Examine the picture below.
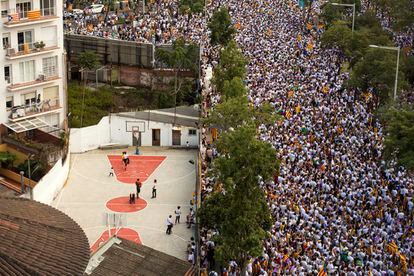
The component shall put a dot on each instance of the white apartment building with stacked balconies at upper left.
(32, 65)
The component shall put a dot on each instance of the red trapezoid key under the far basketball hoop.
(139, 167)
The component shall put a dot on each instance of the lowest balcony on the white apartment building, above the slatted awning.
(44, 107)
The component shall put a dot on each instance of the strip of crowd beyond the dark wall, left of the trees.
(161, 23)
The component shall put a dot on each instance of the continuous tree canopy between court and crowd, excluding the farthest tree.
(238, 211)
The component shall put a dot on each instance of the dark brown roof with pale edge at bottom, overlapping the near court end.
(126, 258)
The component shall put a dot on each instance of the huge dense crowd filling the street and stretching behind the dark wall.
(335, 203)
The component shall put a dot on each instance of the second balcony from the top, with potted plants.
(29, 49)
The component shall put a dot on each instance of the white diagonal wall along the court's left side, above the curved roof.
(50, 185)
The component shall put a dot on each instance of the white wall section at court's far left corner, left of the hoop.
(89, 138)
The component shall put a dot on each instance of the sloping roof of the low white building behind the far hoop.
(184, 116)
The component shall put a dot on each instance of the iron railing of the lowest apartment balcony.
(34, 108)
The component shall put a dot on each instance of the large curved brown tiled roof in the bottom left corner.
(37, 239)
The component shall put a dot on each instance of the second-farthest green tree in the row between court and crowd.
(232, 64)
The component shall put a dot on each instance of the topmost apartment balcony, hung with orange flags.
(31, 17)
